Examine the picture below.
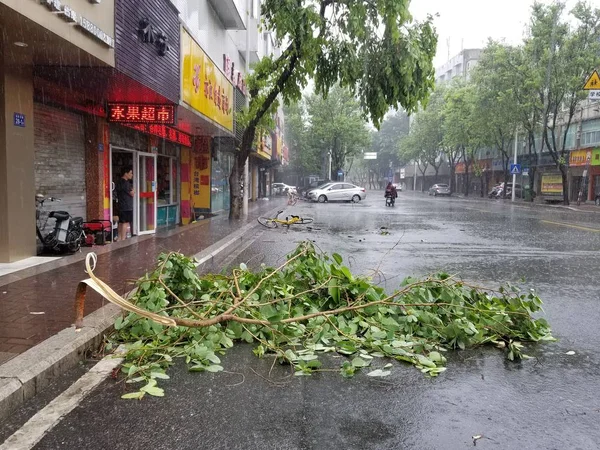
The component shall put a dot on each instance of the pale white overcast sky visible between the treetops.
(469, 23)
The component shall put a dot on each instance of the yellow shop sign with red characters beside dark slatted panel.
(204, 87)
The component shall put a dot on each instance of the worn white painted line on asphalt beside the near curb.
(44, 420)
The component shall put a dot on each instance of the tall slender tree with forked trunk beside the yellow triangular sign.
(563, 53)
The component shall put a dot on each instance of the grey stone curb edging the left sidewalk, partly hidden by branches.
(24, 376)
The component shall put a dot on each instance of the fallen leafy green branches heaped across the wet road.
(310, 305)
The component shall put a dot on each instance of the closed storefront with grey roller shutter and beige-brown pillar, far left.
(43, 142)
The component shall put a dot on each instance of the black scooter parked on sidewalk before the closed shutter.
(66, 236)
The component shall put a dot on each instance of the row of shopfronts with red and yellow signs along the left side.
(90, 89)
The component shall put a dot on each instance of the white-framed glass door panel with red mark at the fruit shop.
(146, 193)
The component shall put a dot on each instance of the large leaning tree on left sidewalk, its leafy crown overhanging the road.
(371, 47)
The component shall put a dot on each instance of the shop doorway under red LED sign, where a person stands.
(144, 181)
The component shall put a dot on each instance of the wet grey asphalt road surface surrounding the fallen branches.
(549, 402)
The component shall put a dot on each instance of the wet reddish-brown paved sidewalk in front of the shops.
(38, 303)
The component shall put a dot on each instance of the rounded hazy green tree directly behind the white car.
(337, 127)
